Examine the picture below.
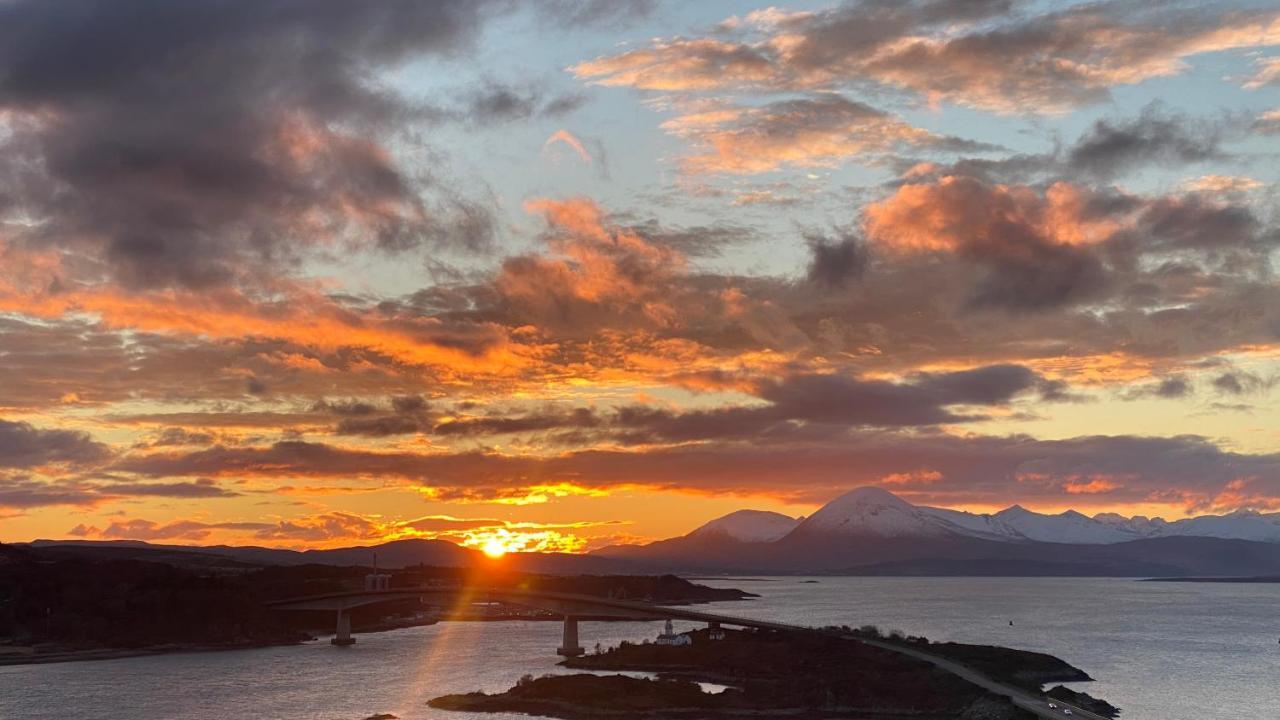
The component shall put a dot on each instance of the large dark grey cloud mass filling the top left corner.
(194, 144)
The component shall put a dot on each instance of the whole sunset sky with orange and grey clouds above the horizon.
(560, 275)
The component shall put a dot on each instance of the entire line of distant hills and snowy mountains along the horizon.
(866, 532)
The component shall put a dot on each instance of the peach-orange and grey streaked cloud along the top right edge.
(1048, 63)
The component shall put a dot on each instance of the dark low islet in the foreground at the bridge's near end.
(769, 675)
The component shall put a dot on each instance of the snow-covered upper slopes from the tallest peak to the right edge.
(879, 513)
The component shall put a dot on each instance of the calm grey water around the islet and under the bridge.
(1162, 651)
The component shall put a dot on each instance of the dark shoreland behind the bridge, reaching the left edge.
(84, 604)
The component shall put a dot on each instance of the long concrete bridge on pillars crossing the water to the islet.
(566, 605)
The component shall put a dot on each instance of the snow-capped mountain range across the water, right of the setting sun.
(871, 531)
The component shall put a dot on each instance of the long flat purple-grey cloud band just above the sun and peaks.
(1186, 471)
